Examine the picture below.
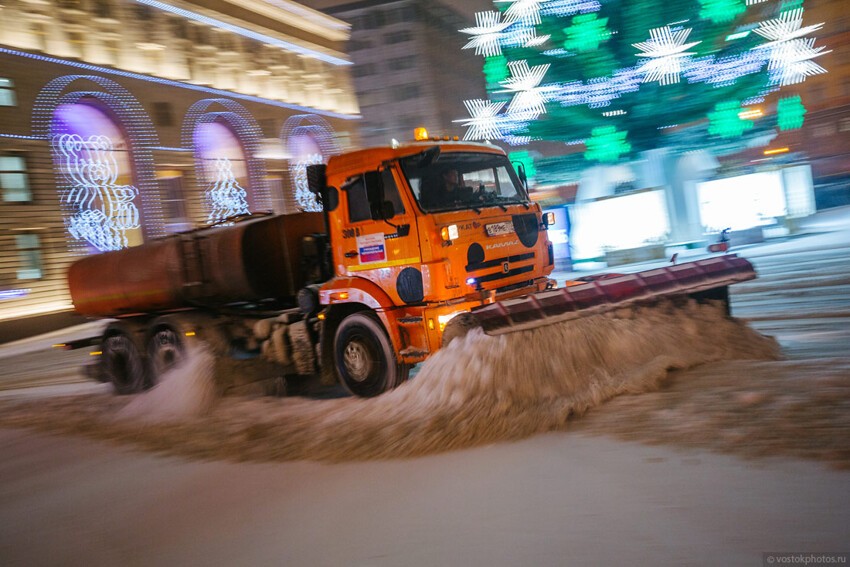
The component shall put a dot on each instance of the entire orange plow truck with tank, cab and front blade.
(415, 245)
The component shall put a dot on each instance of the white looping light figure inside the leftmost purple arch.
(104, 210)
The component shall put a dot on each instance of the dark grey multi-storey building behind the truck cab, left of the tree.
(410, 68)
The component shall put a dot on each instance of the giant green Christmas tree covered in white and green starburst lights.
(621, 76)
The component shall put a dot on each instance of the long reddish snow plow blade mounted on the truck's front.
(702, 279)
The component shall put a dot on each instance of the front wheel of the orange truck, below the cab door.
(364, 357)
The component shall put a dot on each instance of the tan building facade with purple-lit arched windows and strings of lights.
(123, 121)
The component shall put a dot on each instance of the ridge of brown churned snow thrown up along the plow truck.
(481, 389)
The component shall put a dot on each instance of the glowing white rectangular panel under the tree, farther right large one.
(742, 202)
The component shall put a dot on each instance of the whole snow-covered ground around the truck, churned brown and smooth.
(573, 496)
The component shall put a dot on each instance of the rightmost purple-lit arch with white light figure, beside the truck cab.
(296, 133)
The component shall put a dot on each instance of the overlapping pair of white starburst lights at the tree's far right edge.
(791, 53)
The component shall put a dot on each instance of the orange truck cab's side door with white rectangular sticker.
(380, 240)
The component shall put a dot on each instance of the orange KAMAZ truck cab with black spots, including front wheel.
(410, 253)
